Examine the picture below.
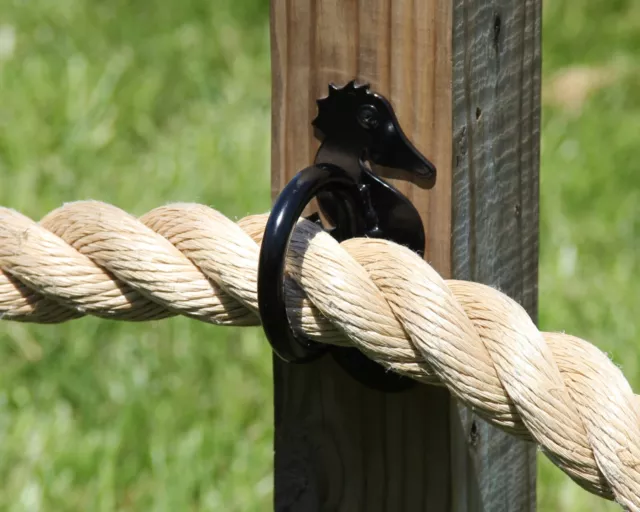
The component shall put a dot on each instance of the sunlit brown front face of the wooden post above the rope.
(402, 48)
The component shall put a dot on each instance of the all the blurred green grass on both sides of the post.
(139, 104)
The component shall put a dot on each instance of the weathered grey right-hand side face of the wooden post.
(496, 106)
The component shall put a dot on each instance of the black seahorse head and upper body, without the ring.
(360, 134)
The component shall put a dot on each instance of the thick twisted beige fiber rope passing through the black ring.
(90, 258)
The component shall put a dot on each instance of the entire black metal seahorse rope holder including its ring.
(360, 134)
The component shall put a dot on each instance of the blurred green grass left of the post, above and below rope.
(137, 104)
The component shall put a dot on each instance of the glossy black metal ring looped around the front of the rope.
(285, 214)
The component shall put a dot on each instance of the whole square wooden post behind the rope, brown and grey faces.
(464, 79)
